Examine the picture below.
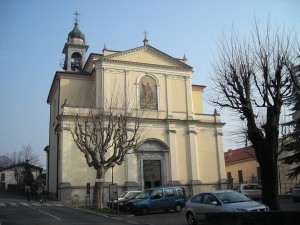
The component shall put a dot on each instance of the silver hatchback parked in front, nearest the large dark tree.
(219, 201)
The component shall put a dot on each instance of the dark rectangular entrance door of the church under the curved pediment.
(152, 173)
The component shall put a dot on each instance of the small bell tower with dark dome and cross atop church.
(75, 49)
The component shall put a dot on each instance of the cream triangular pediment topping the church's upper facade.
(147, 55)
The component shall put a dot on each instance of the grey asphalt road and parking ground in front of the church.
(16, 210)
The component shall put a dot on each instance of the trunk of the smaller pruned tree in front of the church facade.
(98, 189)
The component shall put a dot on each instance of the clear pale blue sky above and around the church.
(33, 34)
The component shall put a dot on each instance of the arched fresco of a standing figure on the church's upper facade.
(148, 93)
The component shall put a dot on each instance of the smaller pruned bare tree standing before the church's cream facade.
(105, 135)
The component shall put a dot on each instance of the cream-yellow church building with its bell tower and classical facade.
(183, 146)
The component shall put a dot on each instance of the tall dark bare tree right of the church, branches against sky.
(253, 77)
